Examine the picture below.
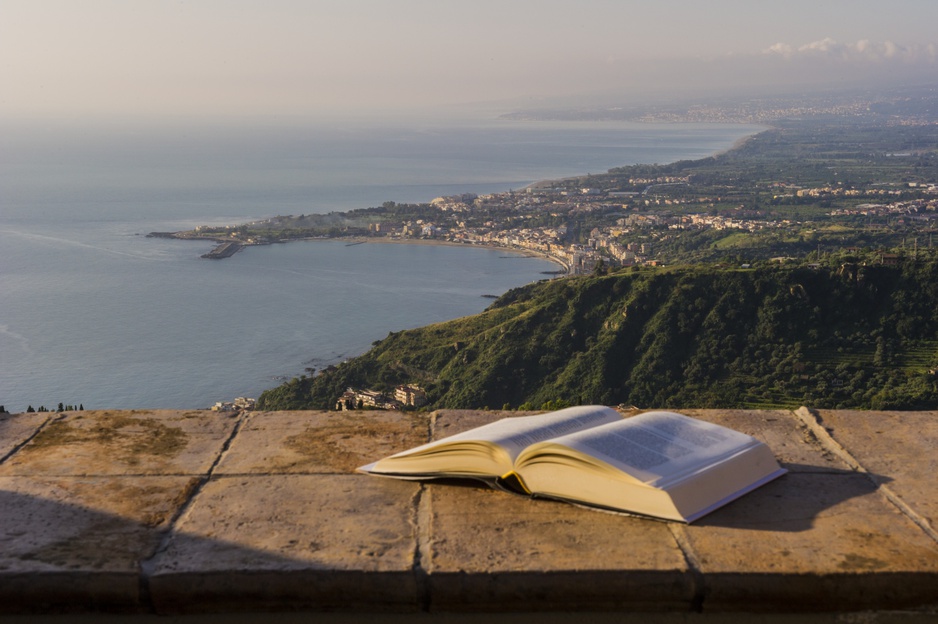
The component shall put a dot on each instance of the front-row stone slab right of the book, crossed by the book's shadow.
(813, 541)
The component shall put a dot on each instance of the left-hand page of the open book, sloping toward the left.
(516, 434)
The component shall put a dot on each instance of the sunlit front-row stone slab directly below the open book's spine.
(488, 550)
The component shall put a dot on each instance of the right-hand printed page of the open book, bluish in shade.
(656, 446)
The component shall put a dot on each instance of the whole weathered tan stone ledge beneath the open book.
(201, 512)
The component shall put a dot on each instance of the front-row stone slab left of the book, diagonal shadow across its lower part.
(287, 542)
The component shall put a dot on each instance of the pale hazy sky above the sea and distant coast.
(230, 58)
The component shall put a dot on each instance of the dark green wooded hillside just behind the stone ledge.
(843, 336)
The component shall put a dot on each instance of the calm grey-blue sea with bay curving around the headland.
(94, 313)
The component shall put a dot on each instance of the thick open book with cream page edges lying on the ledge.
(659, 464)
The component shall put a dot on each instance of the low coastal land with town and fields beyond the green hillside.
(776, 194)
